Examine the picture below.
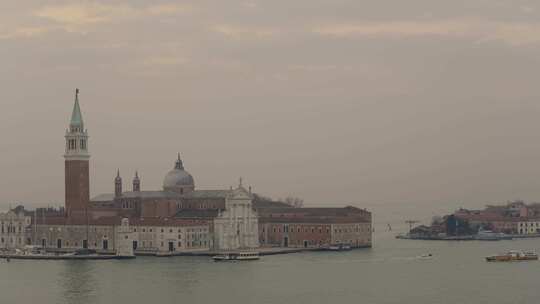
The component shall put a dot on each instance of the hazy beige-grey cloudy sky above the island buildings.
(334, 101)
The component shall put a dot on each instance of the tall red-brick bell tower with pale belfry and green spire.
(76, 165)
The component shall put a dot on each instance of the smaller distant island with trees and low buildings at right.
(511, 220)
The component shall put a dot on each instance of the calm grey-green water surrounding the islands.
(388, 273)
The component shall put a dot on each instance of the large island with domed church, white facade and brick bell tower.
(177, 219)
